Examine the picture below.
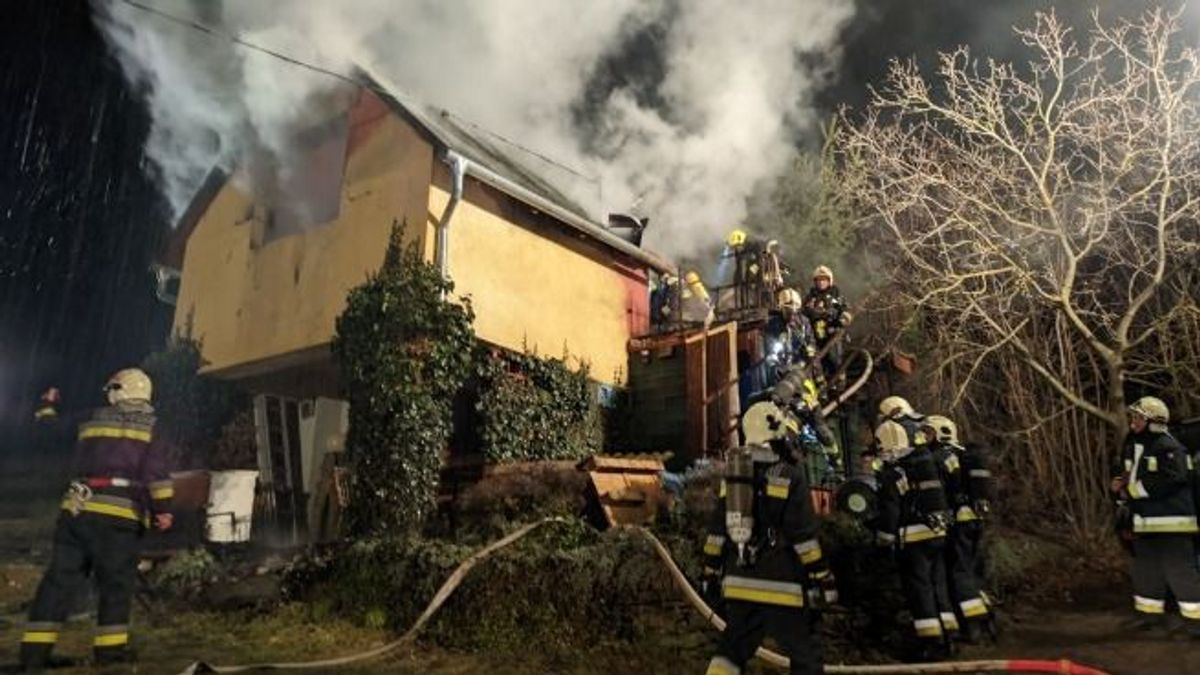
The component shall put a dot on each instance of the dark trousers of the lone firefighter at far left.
(85, 546)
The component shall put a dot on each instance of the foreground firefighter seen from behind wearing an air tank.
(764, 554)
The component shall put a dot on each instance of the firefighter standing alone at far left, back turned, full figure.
(121, 486)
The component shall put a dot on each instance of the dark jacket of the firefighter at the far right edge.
(1159, 485)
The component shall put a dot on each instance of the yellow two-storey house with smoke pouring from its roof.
(261, 280)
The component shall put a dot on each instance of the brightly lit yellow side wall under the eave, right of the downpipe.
(532, 289)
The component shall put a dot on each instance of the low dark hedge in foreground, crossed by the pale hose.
(566, 586)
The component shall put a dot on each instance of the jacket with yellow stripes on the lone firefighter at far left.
(119, 469)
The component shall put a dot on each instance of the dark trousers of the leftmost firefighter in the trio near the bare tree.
(923, 574)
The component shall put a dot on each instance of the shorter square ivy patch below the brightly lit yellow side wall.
(536, 409)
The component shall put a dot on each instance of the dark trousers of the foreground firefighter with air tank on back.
(795, 630)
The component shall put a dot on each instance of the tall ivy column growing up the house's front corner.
(405, 353)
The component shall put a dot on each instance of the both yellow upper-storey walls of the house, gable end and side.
(261, 309)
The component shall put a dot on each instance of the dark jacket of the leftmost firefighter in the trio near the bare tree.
(913, 500)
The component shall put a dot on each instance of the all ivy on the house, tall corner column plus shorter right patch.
(406, 355)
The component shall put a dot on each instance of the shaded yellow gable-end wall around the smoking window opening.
(247, 304)
